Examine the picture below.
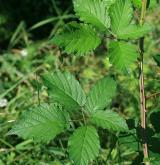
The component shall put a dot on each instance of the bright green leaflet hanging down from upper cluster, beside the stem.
(122, 55)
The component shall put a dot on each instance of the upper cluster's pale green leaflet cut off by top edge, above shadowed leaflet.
(93, 12)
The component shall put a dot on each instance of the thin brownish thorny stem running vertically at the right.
(142, 90)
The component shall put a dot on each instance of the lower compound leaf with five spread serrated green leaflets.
(44, 122)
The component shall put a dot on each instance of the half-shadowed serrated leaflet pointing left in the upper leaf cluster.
(77, 38)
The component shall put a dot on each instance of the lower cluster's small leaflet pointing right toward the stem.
(109, 120)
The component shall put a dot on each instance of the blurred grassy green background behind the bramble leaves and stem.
(26, 28)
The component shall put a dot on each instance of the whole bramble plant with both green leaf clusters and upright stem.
(71, 109)
